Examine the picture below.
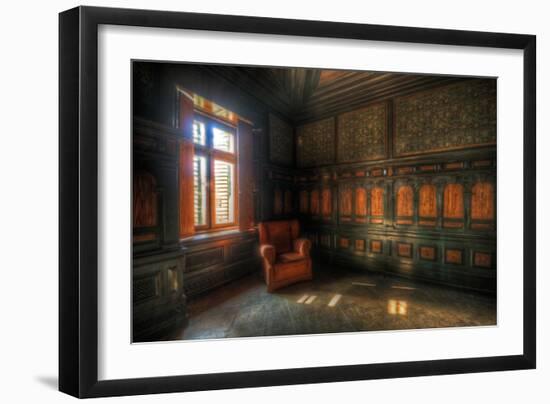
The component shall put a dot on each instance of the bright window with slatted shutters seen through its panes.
(214, 174)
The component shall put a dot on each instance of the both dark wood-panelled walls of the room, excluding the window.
(406, 185)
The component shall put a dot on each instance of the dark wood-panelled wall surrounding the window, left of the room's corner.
(166, 270)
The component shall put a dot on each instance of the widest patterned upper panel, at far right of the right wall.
(445, 118)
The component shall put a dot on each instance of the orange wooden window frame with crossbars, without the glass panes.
(211, 155)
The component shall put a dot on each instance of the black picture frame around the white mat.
(78, 201)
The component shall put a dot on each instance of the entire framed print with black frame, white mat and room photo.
(251, 201)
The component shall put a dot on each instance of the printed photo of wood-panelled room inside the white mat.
(272, 201)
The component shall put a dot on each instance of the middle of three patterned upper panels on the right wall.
(362, 134)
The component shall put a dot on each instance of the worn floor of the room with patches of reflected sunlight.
(335, 302)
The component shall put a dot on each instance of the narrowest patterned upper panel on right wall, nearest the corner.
(315, 143)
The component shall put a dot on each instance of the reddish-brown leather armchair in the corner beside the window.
(285, 257)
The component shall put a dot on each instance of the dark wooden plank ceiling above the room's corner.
(303, 95)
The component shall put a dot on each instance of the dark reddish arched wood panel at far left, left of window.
(145, 200)
